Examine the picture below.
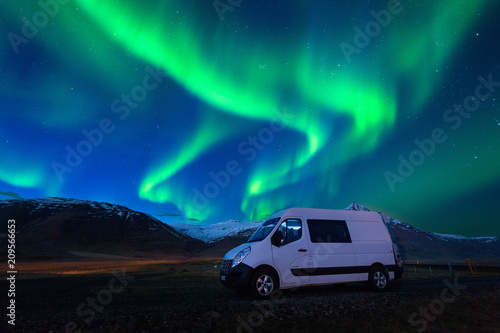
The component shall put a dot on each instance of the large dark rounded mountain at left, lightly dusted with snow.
(57, 227)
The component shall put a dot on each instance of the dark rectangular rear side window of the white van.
(328, 231)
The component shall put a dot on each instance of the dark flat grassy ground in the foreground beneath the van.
(187, 297)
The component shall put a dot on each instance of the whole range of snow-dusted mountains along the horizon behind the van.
(57, 228)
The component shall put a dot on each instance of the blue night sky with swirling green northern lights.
(204, 111)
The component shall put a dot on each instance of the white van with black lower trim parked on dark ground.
(303, 246)
